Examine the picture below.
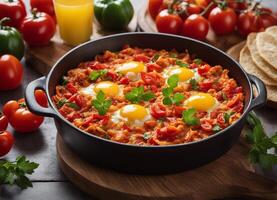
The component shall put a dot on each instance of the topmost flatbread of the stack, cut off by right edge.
(267, 48)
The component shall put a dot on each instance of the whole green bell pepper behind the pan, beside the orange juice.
(113, 14)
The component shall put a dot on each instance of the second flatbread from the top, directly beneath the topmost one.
(264, 66)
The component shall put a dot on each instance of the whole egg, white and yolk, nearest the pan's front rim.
(133, 114)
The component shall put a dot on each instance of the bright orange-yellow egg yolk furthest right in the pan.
(201, 101)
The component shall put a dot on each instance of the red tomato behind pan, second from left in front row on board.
(196, 26)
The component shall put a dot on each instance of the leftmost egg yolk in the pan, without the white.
(109, 88)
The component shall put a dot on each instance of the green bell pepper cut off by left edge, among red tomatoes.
(10, 41)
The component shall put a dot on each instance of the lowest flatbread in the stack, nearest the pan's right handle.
(248, 64)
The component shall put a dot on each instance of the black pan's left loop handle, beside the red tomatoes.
(31, 102)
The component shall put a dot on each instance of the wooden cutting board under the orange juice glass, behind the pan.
(41, 59)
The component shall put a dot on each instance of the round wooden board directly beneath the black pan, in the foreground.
(228, 176)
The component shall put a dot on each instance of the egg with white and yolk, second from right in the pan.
(184, 74)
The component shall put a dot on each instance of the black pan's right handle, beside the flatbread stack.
(261, 98)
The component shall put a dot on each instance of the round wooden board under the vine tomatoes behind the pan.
(147, 24)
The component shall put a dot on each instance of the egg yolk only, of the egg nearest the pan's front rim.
(133, 112)
